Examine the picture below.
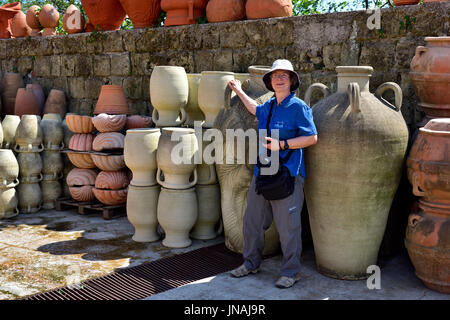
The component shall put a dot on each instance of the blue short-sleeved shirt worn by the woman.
(293, 118)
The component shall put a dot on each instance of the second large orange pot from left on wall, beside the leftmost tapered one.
(142, 13)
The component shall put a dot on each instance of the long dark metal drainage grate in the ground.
(150, 278)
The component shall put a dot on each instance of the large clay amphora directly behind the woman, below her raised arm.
(235, 178)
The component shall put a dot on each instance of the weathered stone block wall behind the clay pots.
(80, 64)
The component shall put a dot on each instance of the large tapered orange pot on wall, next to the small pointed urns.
(104, 14)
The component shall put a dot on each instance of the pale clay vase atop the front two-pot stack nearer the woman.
(175, 158)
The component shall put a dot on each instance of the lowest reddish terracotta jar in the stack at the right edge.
(428, 244)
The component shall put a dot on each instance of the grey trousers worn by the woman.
(257, 219)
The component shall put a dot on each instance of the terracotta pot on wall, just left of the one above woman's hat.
(225, 10)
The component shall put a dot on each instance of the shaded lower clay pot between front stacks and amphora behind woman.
(209, 212)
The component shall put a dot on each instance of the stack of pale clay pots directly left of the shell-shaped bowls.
(52, 161)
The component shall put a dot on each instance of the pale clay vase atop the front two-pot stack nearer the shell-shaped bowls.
(140, 155)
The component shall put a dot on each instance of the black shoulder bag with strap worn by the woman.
(279, 185)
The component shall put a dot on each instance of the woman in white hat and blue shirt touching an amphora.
(293, 118)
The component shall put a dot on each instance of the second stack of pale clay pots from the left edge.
(29, 144)
